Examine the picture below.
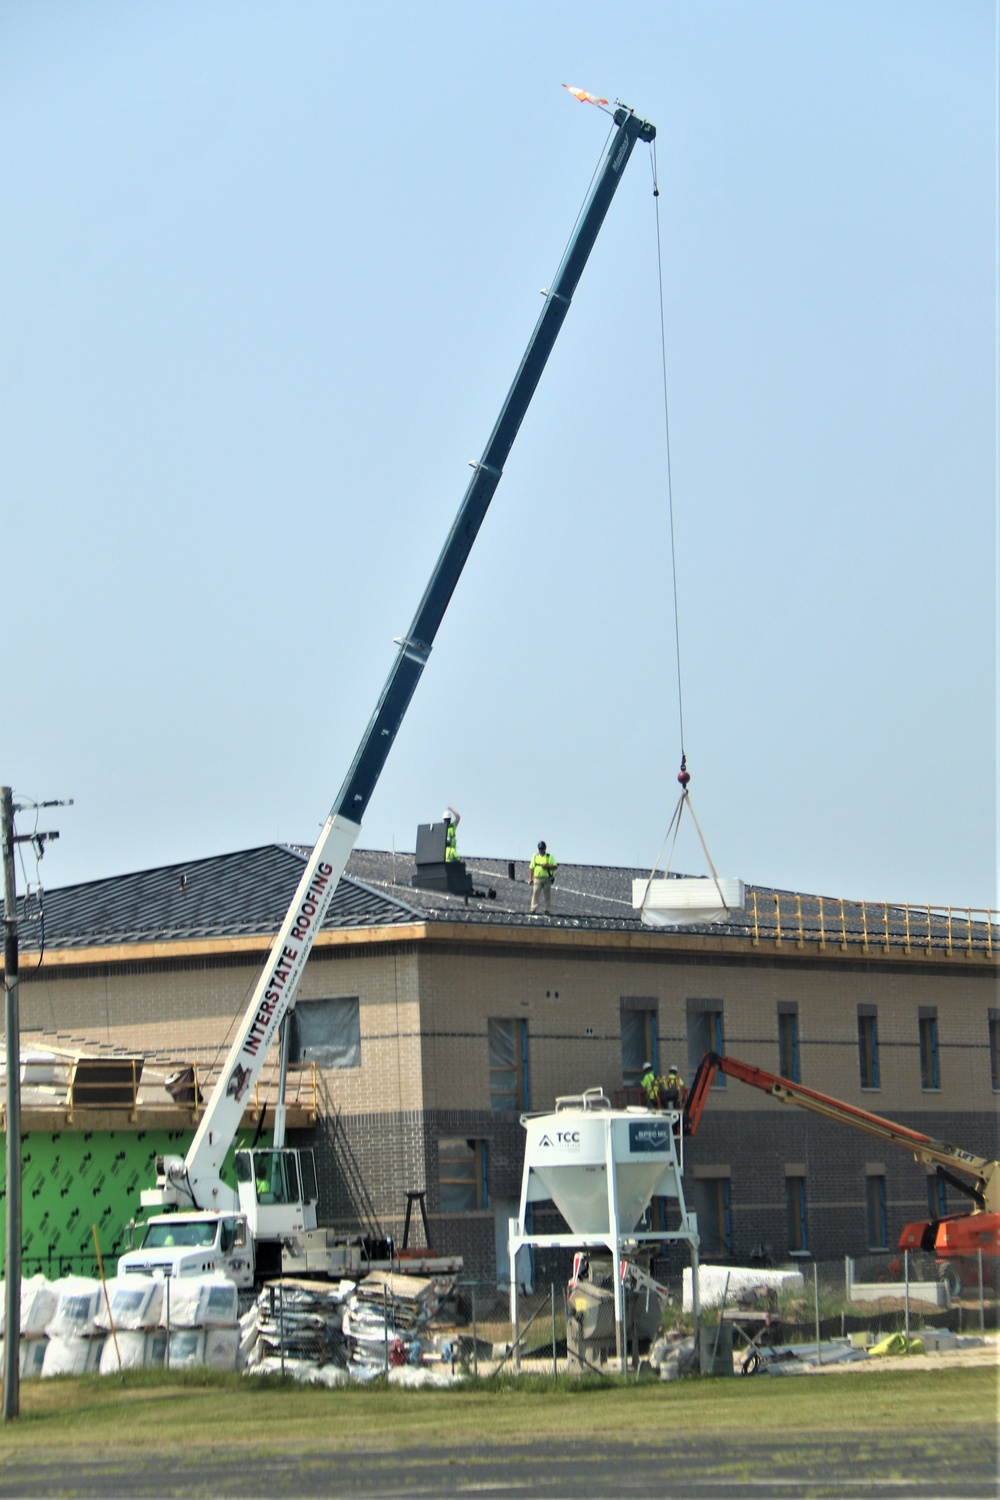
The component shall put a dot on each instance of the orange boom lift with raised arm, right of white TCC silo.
(950, 1238)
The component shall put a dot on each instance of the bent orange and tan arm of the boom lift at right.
(980, 1181)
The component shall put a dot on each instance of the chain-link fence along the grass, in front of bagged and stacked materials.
(427, 1331)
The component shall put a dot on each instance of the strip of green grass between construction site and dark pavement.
(203, 1411)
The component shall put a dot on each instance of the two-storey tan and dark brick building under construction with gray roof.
(436, 1010)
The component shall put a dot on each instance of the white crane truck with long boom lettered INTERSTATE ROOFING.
(242, 1231)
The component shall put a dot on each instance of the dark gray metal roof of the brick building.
(248, 895)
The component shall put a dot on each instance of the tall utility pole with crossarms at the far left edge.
(13, 1285)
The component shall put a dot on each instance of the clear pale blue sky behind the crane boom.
(268, 272)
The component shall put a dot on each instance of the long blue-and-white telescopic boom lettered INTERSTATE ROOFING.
(197, 1181)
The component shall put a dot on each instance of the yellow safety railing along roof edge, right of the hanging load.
(788, 919)
